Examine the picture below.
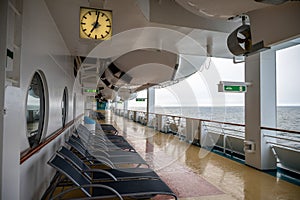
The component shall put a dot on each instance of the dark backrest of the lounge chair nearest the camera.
(67, 169)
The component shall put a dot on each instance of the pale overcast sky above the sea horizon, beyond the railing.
(200, 89)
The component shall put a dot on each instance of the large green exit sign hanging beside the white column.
(238, 87)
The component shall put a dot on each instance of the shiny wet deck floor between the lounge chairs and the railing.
(194, 173)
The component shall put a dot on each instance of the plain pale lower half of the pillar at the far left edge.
(10, 151)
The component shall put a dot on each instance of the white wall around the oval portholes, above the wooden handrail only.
(44, 49)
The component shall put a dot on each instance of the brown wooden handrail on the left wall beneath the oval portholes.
(25, 155)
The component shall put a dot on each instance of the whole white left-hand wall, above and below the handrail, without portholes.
(42, 49)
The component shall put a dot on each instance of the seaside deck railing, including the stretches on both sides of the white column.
(225, 137)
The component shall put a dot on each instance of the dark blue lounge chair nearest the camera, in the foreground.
(140, 189)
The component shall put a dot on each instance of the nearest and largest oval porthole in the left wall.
(35, 110)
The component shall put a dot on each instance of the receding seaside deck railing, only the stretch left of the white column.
(194, 130)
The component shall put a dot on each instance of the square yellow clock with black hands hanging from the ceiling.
(95, 23)
